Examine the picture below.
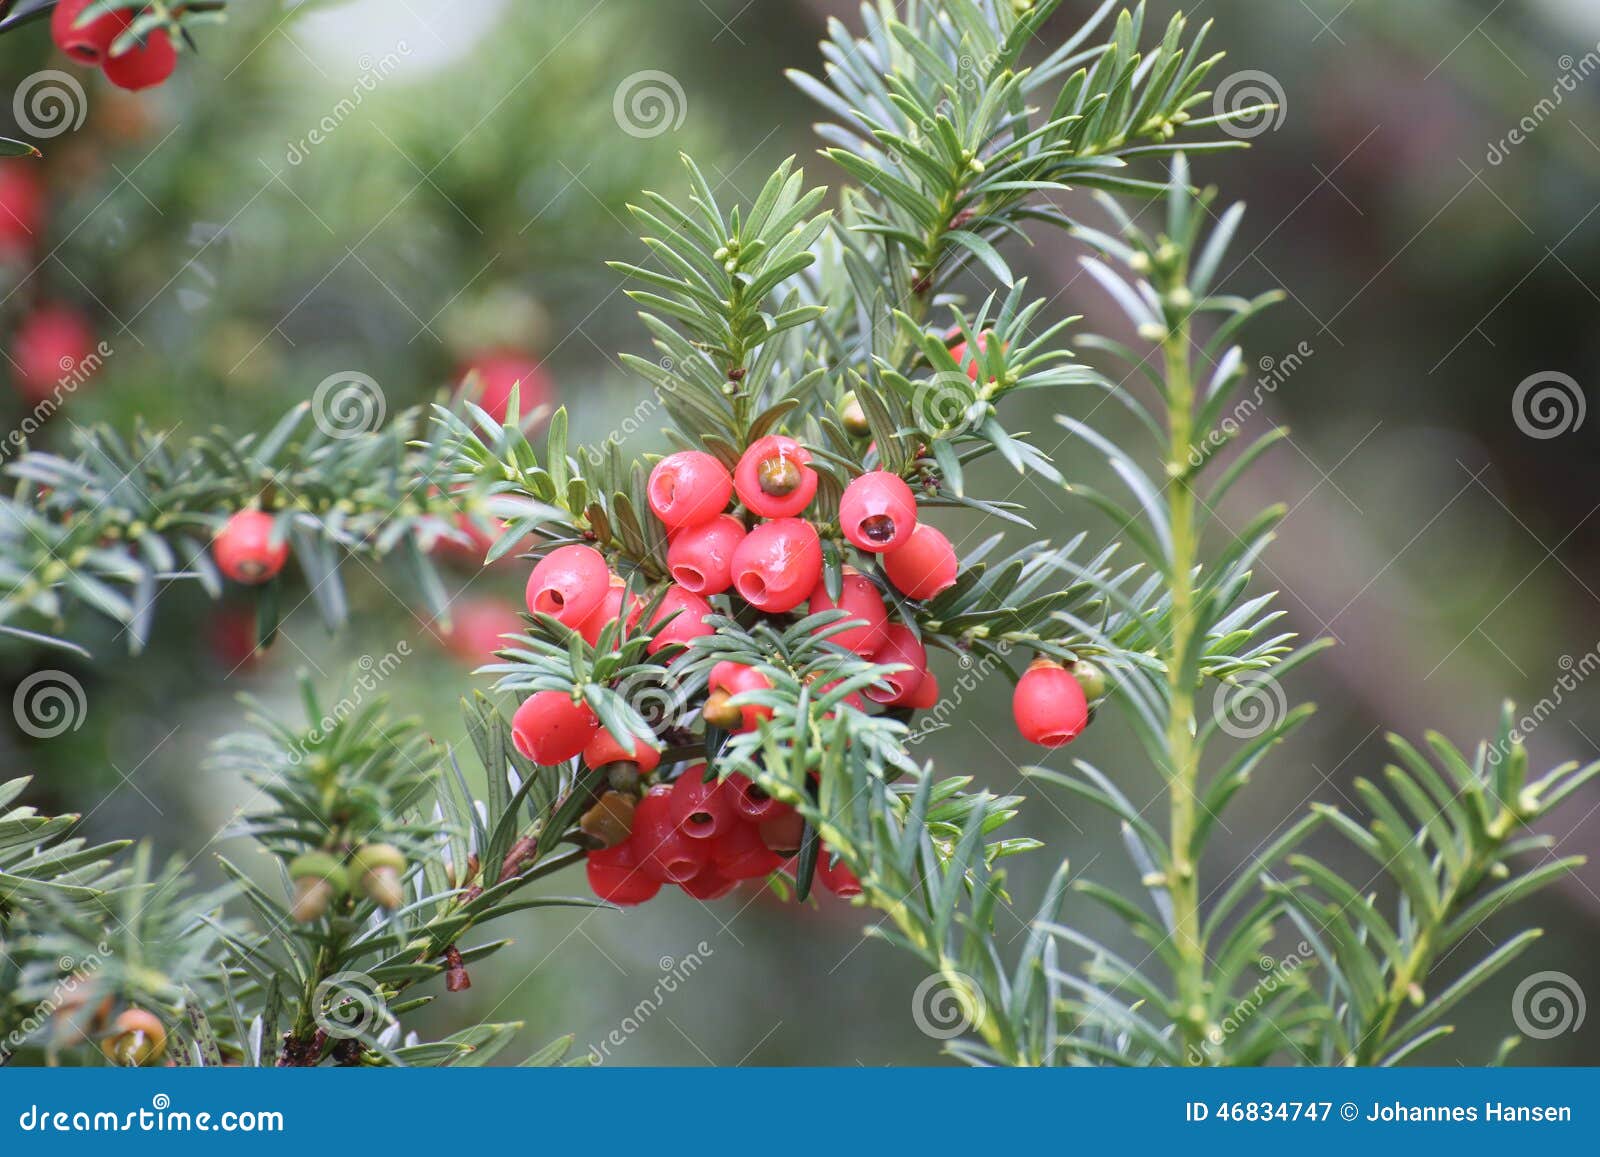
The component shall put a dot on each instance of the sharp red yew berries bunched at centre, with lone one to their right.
(766, 556)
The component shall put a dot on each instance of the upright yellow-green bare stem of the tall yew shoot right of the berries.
(1183, 772)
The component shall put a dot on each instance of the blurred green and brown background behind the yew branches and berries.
(465, 183)
